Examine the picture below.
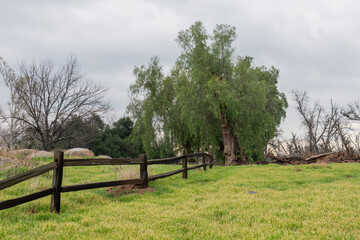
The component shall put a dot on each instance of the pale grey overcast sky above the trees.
(315, 44)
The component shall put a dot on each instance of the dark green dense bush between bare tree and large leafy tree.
(115, 141)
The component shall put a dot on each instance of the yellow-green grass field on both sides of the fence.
(291, 202)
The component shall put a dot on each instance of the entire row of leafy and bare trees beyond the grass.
(211, 100)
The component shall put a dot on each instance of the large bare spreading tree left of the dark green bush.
(48, 98)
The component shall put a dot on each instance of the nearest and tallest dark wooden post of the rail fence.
(57, 180)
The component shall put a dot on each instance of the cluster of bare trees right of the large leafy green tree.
(327, 129)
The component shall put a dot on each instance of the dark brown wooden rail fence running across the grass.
(59, 163)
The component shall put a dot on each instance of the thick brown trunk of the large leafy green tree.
(230, 144)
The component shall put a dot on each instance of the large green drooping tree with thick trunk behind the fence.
(211, 99)
